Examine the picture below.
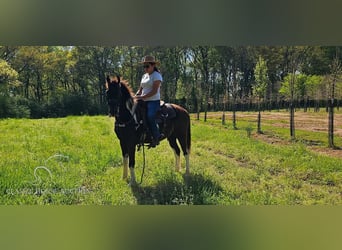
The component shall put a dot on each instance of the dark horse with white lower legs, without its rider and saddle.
(130, 129)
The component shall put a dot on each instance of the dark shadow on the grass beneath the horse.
(195, 189)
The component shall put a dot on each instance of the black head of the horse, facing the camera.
(113, 94)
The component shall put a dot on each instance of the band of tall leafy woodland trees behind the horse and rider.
(54, 81)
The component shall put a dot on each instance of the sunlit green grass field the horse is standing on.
(77, 160)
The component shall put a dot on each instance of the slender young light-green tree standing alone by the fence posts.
(260, 87)
